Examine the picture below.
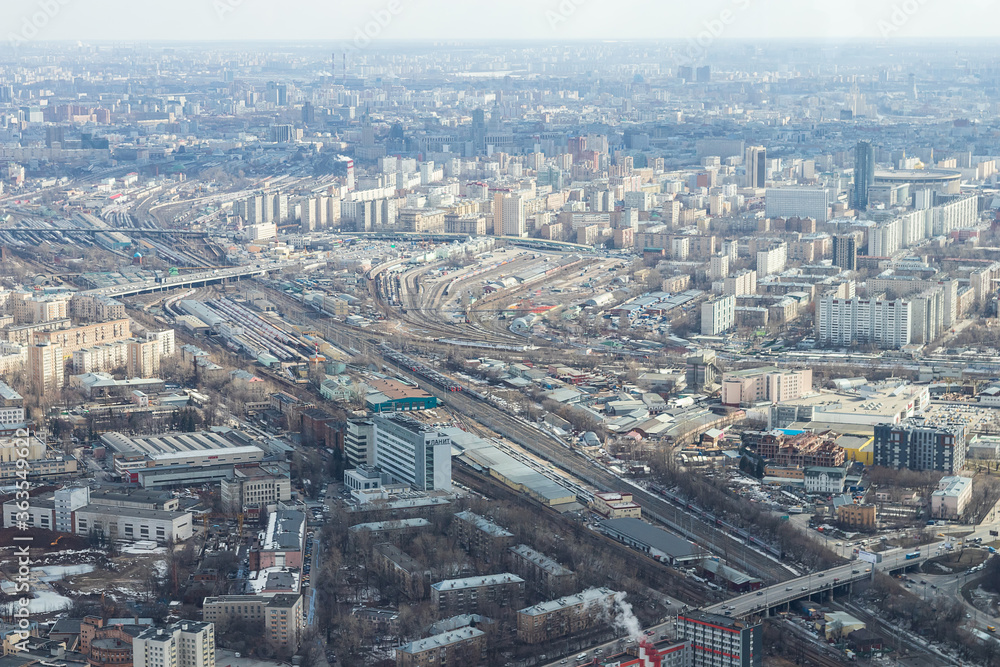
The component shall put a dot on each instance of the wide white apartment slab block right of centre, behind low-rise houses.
(853, 322)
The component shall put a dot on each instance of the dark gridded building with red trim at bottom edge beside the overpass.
(721, 641)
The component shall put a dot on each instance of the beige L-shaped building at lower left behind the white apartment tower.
(280, 613)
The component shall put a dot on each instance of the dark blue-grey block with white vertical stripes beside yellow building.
(918, 444)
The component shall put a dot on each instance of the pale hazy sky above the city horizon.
(495, 19)
